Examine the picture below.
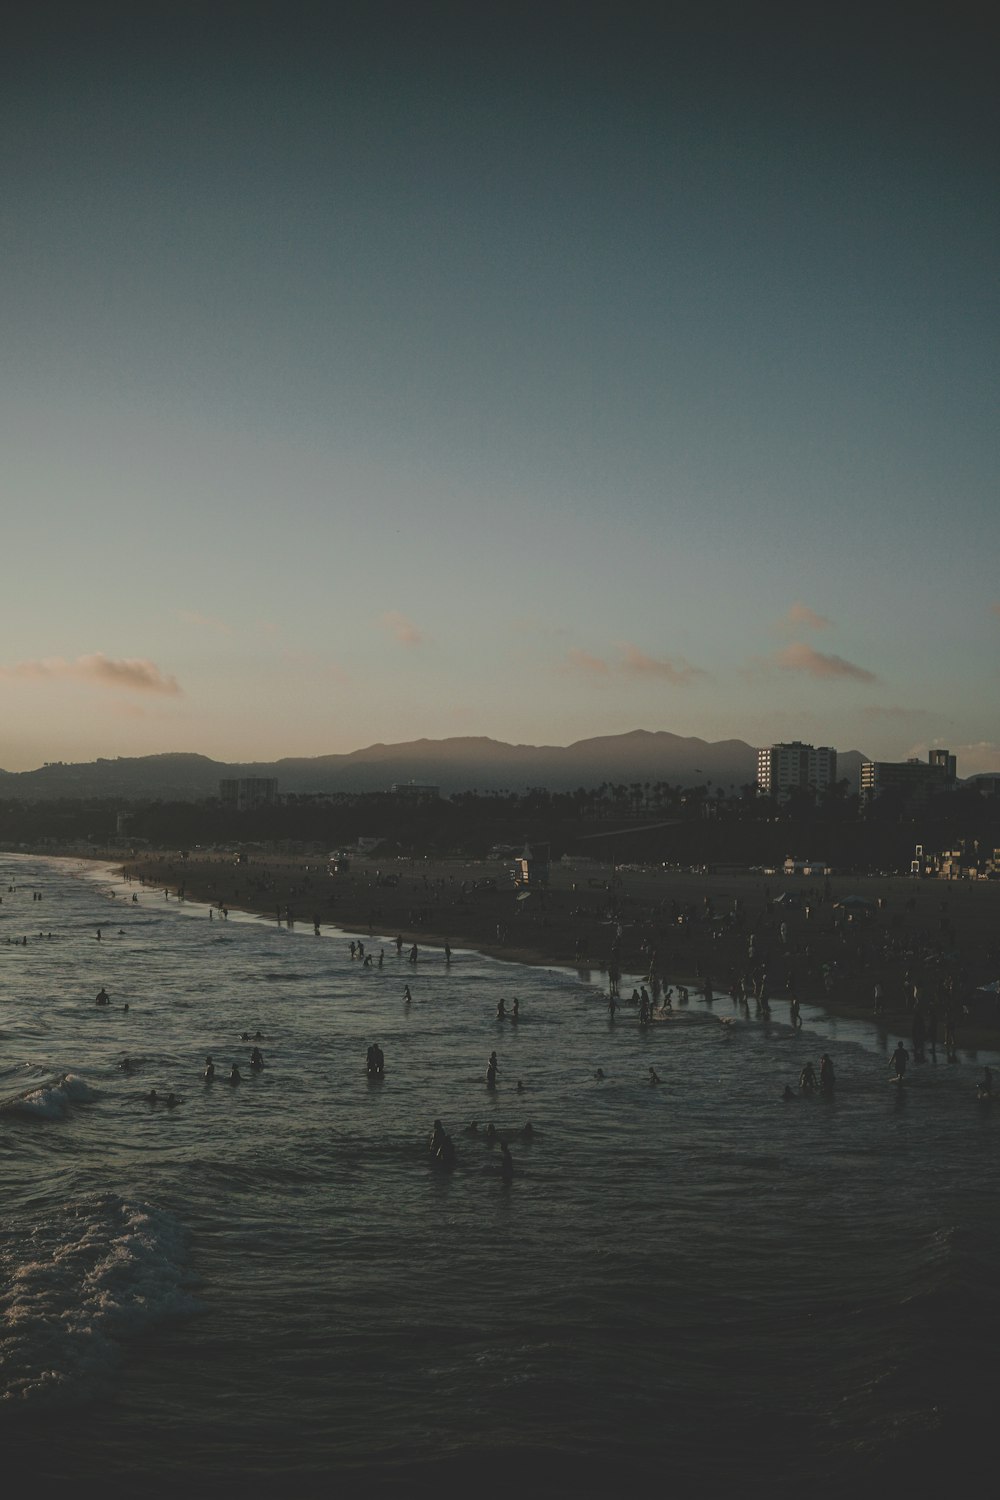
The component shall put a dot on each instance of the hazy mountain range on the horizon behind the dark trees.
(454, 766)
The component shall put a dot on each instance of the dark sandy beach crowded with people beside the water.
(945, 937)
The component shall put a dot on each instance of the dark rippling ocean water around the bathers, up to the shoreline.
(269, 1289)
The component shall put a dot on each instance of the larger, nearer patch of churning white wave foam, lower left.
(79, 1289)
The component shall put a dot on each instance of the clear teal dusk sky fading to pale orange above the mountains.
(421, 370)
